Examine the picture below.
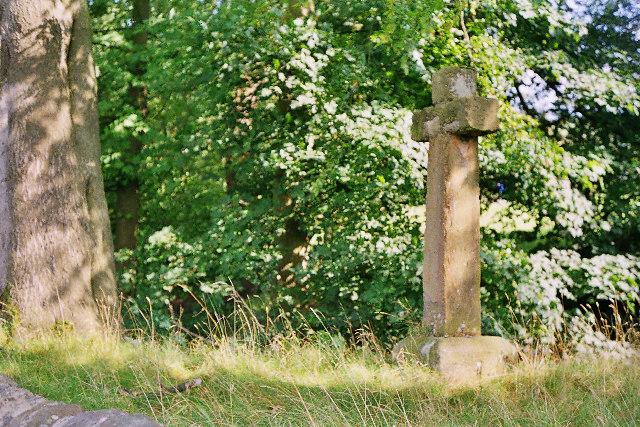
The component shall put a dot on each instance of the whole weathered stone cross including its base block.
(451, 343)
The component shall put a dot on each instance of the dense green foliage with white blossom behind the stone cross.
(279, 154)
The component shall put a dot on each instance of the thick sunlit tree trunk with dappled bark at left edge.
(56, 251)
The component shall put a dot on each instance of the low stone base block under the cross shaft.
(462, 360)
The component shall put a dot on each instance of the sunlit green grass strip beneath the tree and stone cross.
(287, 382)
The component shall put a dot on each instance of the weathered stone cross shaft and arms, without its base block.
(451, 275)
